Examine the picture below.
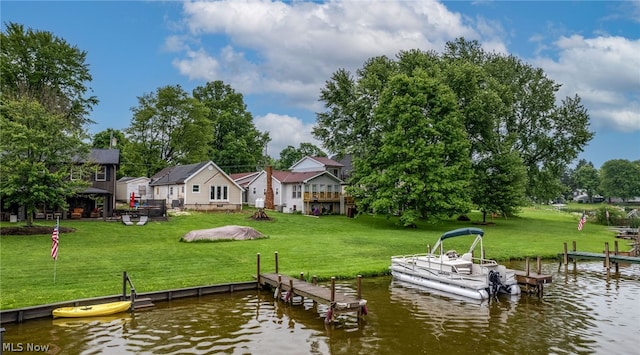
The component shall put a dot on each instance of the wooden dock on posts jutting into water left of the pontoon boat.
(291, 287)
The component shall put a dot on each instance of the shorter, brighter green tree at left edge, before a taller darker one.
(39, 149)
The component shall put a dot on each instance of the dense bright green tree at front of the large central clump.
(422, 167)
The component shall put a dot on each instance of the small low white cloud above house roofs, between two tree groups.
(284, 131)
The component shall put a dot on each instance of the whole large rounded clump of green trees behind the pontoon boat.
(438, 116)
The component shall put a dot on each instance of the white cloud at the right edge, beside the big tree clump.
(605, 73)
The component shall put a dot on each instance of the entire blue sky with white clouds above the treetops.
(279, 54)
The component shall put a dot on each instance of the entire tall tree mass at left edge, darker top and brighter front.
(44, 106)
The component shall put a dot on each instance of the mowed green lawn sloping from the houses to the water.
(92, 259)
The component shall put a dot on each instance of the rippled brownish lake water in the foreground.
(583, 311)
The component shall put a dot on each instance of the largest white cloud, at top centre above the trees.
(292, 49)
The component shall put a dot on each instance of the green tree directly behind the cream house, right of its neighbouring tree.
(236, 145)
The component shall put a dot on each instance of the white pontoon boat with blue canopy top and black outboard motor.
(447, 271)
